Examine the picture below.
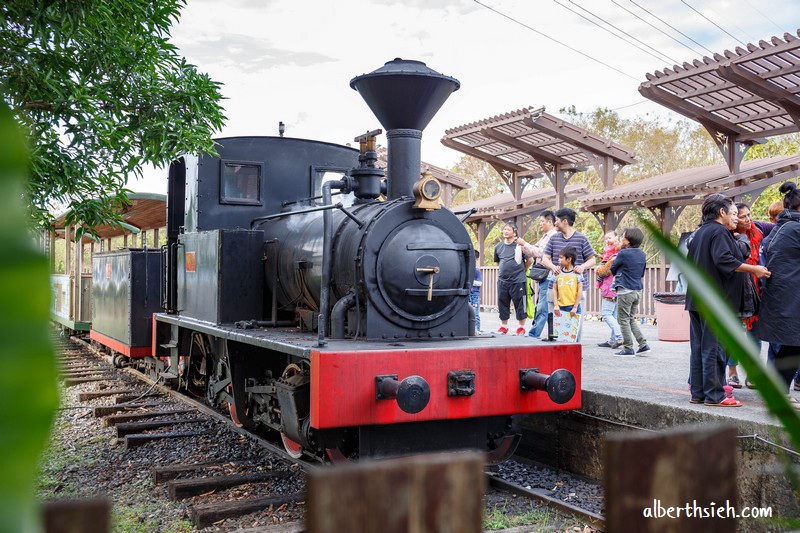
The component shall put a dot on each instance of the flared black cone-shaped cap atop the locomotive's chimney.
(404, 94)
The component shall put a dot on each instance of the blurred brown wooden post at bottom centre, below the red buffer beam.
(441, 492)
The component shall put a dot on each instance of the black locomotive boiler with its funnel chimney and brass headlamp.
(404, 262)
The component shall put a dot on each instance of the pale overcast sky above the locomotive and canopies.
(292, 61)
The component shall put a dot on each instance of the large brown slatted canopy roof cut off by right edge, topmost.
(746, 94)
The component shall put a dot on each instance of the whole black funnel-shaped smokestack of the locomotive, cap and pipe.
(404, 95)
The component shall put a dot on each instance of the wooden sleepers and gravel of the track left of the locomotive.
(211, 472)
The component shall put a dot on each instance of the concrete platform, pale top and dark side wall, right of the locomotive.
(651, 393)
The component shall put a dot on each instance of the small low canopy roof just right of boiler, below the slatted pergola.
(489, 211)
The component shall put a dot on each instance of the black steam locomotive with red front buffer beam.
(315, 298)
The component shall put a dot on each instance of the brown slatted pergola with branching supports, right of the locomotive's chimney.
(530, 143)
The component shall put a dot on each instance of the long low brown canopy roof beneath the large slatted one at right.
(690, 186)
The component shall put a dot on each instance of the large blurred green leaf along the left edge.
(28, 393)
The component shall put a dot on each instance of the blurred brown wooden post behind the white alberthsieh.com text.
(651, 477)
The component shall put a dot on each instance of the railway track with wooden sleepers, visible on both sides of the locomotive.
(214, 491)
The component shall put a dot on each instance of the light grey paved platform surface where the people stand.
(660, 378)
